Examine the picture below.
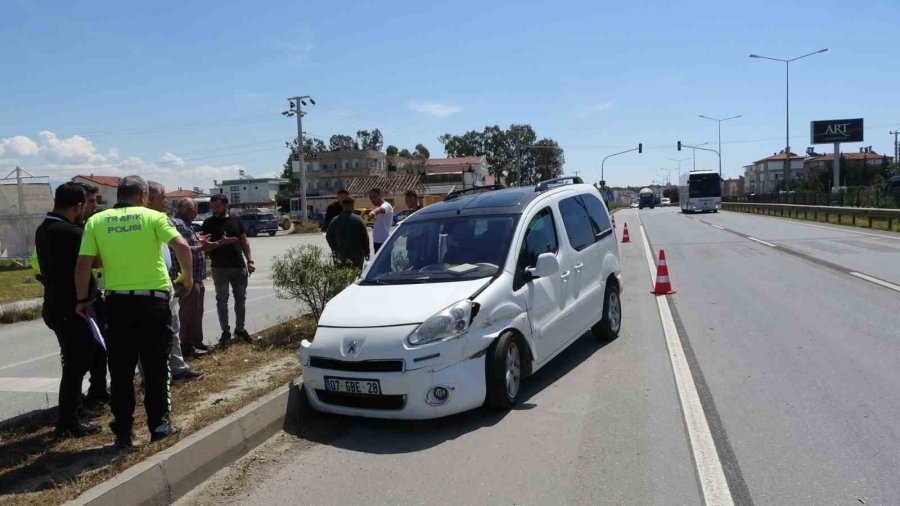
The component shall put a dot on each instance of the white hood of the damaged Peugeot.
(387, 305)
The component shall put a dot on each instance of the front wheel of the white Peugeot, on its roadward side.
(504, 372)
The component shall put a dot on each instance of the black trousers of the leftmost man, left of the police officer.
(77, 347)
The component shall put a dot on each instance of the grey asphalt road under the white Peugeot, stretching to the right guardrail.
(793, 358)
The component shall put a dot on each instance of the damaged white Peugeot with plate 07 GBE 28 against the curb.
(493, 286)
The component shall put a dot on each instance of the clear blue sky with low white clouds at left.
(190, 92)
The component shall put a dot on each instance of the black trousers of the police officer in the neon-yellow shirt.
(139, 328)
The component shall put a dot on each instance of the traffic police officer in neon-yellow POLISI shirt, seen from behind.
(128, 239)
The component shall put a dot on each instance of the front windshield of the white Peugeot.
(442, 250)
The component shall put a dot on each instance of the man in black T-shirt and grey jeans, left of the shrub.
(228, 266)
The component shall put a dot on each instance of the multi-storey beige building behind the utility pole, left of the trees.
(331, 170)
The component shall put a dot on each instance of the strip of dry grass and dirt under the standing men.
(36, 469)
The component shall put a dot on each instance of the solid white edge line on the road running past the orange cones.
(706, 458)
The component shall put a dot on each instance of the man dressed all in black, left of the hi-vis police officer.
(57, 241)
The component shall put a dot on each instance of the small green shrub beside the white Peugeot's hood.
(308, 274)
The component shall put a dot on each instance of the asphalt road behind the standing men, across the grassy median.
(29, 353)
